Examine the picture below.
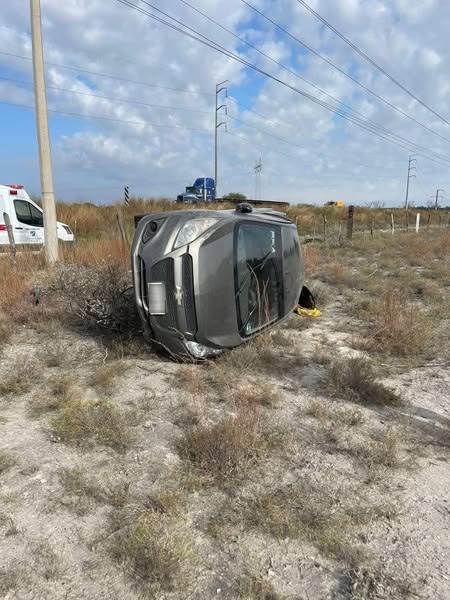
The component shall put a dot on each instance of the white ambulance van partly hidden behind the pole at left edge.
(26, 218)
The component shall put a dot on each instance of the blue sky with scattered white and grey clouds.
(132, 101)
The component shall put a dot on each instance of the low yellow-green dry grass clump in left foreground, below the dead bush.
(93, 421)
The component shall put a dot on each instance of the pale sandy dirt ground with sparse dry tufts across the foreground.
(348, 499)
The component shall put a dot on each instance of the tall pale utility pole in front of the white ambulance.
(45, 159)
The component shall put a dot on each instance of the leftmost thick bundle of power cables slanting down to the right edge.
(195, 35)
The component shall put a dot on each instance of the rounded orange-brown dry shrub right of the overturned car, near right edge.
(400, 329)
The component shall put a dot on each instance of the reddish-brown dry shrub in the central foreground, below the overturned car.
(228, 449)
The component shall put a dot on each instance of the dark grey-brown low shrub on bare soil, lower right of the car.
(354, 379)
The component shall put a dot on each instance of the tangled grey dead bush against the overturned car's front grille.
(98, 295)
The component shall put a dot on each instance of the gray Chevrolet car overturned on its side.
(206, 281)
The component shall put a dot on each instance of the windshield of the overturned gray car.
(257, 275)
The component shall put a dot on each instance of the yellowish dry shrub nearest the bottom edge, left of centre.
(155, 546)
